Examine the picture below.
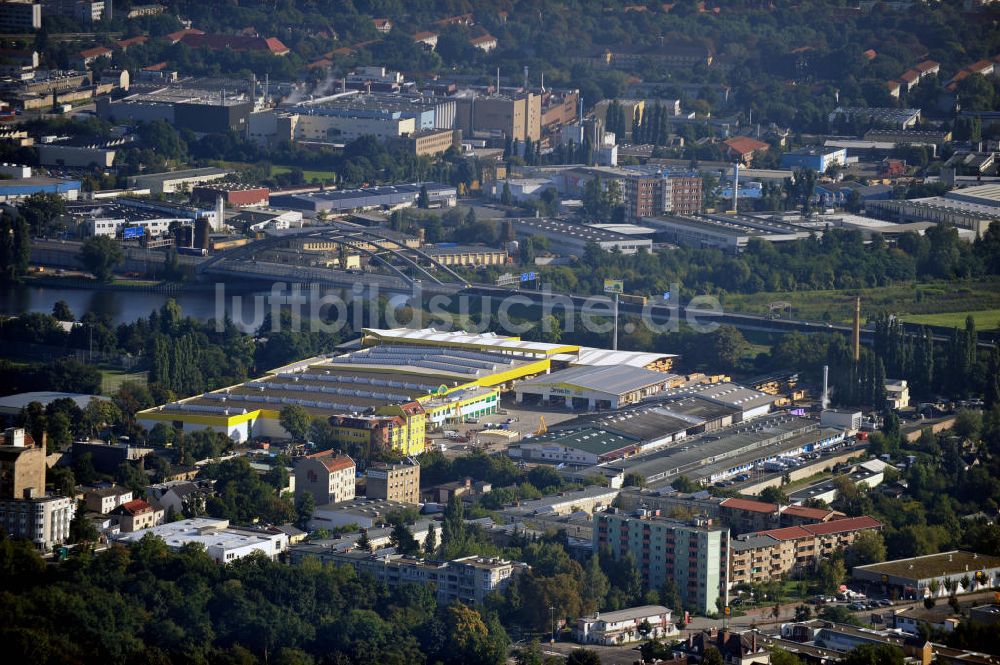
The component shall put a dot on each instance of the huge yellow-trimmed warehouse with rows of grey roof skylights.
(387, 392)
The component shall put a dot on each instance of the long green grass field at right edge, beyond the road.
(911, 302)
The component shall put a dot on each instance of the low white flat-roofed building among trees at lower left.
(222, 543)
